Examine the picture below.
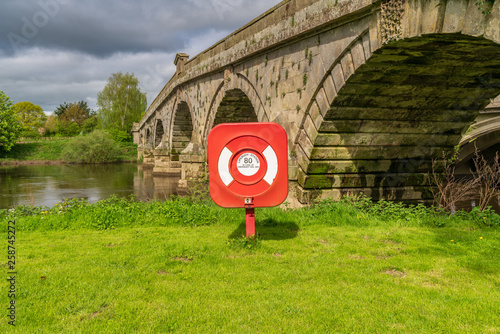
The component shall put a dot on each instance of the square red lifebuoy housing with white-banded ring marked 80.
(248, 163)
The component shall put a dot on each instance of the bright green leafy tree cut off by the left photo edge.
(10, 129)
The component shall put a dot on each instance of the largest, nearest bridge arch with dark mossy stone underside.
(376, 123)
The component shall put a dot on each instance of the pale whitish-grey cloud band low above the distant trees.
(49, 78)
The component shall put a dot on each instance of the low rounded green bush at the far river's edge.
(97, 147)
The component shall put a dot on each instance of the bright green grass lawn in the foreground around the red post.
(184, 266)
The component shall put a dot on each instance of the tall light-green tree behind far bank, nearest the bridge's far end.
(121, 102)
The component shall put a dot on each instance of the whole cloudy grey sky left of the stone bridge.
(55, 51)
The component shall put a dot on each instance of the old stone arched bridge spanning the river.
(368, 92)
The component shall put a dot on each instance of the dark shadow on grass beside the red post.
(269, 229)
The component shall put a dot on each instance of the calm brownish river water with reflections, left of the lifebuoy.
(45, 185)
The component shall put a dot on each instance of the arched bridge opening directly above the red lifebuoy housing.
(235, 107)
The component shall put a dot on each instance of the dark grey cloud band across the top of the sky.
(104, 27)
